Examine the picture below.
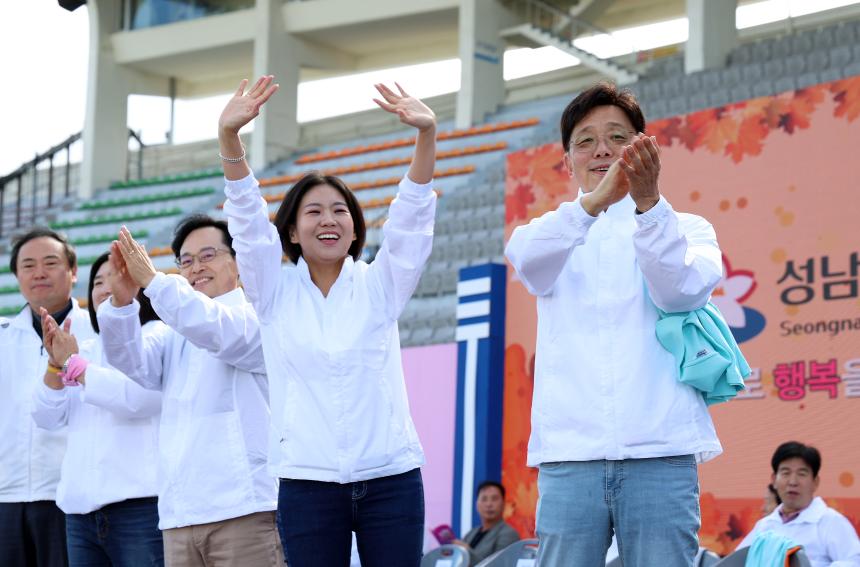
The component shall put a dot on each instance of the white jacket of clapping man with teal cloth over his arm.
(604, 386)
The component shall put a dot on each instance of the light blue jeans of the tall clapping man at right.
(652, 505)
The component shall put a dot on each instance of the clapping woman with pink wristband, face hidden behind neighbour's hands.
(108, 479)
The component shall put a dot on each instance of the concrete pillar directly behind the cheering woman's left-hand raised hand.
(276, 131)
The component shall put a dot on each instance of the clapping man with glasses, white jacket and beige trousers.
(216, 501)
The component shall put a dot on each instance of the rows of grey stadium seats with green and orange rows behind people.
(471, 164)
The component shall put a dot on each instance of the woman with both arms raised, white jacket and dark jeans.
(344, 445)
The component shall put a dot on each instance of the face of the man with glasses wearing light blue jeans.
(596, 142)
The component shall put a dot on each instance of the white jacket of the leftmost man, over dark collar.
(30, 457)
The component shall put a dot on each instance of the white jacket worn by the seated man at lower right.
(827, 536)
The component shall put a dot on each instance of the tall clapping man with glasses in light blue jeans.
(615, 436)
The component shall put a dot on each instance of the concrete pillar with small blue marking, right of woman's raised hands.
(482, 84)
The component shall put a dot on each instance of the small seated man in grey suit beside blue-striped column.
(494, 533)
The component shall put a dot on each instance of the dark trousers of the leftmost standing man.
(32, 534)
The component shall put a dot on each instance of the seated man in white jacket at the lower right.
(827, 536)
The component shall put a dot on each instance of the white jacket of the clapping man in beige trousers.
(214, 427)
